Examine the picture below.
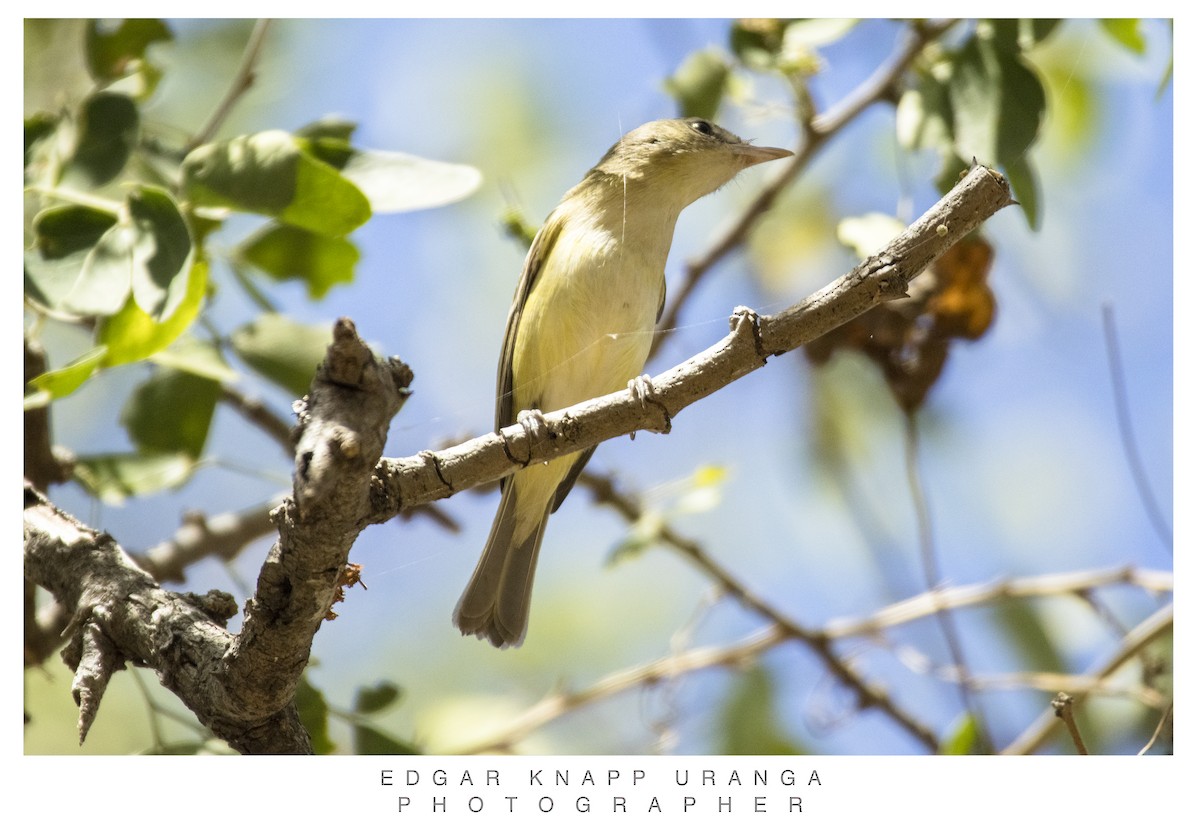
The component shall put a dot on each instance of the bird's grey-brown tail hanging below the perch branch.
(495, 606)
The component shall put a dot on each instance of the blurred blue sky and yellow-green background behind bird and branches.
(1021, 453)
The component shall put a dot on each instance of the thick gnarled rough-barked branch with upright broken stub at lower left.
(239, 686)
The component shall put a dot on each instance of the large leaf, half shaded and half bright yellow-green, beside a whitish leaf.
(271, 175)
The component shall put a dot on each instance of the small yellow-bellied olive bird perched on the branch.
(581, 327)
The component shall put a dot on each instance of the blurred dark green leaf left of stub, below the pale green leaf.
(171, 412)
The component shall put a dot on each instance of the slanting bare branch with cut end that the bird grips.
(430, 476)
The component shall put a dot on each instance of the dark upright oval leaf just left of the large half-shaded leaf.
(107, 134)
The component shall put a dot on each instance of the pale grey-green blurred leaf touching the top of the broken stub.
(283, 350)
